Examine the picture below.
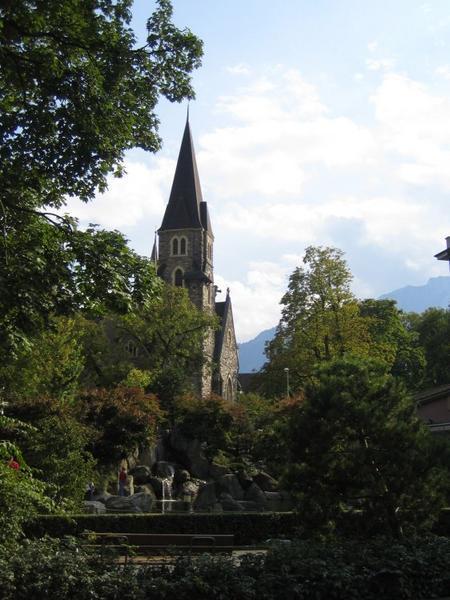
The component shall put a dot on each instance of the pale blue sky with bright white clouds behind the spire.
(316, 122)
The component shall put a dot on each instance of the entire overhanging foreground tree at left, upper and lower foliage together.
(75, 94)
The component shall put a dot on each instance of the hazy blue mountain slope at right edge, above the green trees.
(417, 298)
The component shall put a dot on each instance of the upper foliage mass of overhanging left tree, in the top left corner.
(76, 93)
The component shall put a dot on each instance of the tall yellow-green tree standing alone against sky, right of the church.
(320, 320)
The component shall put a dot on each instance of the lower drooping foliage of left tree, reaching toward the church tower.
(47, 271)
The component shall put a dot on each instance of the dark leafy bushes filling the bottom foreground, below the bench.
(376, 570)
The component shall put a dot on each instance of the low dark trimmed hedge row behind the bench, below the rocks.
(248, 528)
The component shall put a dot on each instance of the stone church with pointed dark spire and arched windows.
(184, 253)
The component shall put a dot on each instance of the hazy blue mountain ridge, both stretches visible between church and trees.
(411, 298)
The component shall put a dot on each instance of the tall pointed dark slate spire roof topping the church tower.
(183, 209)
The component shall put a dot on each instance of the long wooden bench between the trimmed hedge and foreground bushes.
(148, 544)
